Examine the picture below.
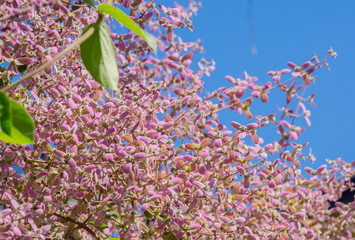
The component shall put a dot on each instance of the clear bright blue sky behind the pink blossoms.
(287, 31)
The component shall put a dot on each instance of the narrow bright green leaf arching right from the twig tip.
(129, 23)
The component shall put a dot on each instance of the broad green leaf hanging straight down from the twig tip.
(99, 58)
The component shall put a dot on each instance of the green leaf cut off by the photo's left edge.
(16, 125)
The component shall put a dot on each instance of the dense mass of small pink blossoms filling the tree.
(153, 160)
